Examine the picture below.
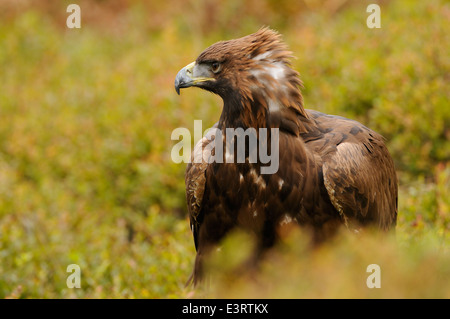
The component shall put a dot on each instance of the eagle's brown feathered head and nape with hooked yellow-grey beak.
(252, 74)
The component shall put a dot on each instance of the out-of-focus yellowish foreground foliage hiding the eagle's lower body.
(338, 269)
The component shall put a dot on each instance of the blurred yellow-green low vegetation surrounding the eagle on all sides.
(86, 117)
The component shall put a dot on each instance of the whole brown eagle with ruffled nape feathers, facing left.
(332, 171)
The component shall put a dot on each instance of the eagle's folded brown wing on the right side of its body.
(358, 172)
